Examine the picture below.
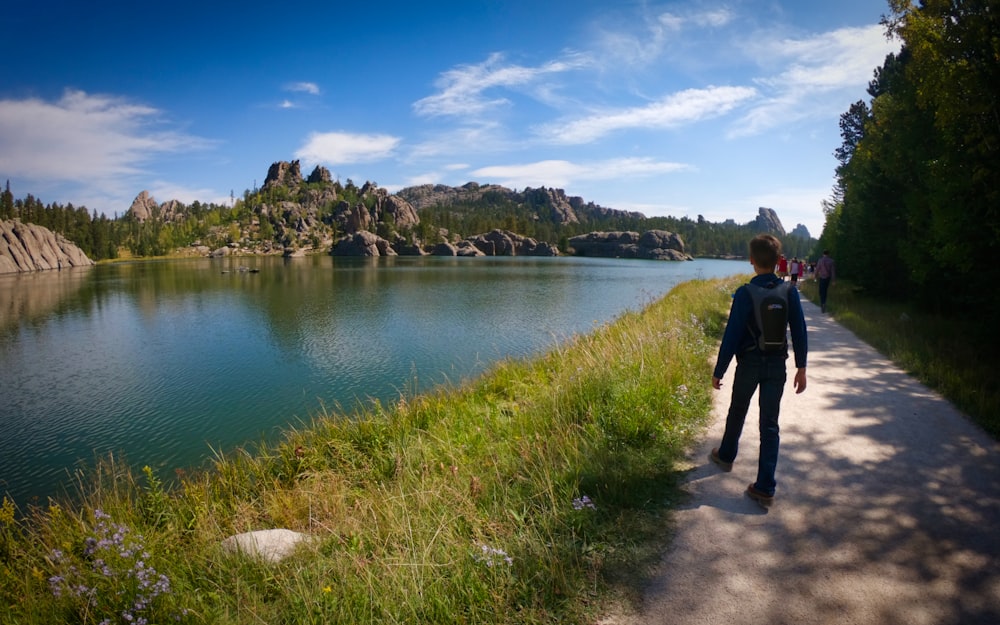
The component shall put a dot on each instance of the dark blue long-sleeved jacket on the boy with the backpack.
(737, 338)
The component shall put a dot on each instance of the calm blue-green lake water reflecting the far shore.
(161, 362)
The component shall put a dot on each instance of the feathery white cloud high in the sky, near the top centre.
(463, 89)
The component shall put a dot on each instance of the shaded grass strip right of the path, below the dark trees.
(946, 356)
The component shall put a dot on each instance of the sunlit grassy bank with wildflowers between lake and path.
(535, 494)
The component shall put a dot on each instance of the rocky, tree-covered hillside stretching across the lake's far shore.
(292, 214)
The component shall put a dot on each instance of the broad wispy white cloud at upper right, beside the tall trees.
(820, 75)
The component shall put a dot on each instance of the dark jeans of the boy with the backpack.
(768, 373)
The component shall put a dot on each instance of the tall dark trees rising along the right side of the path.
(915, 213)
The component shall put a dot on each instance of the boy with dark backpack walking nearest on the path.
(755, 334)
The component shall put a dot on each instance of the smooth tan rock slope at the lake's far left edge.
(28, 247)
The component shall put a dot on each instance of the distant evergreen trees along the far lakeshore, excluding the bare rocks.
(247, 220)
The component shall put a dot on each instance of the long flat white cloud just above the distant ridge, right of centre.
(562, 173)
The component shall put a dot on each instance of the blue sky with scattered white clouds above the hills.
(680, 108)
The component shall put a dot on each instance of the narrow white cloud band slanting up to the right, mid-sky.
(686, 107)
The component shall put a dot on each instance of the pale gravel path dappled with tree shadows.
(887, 510)
